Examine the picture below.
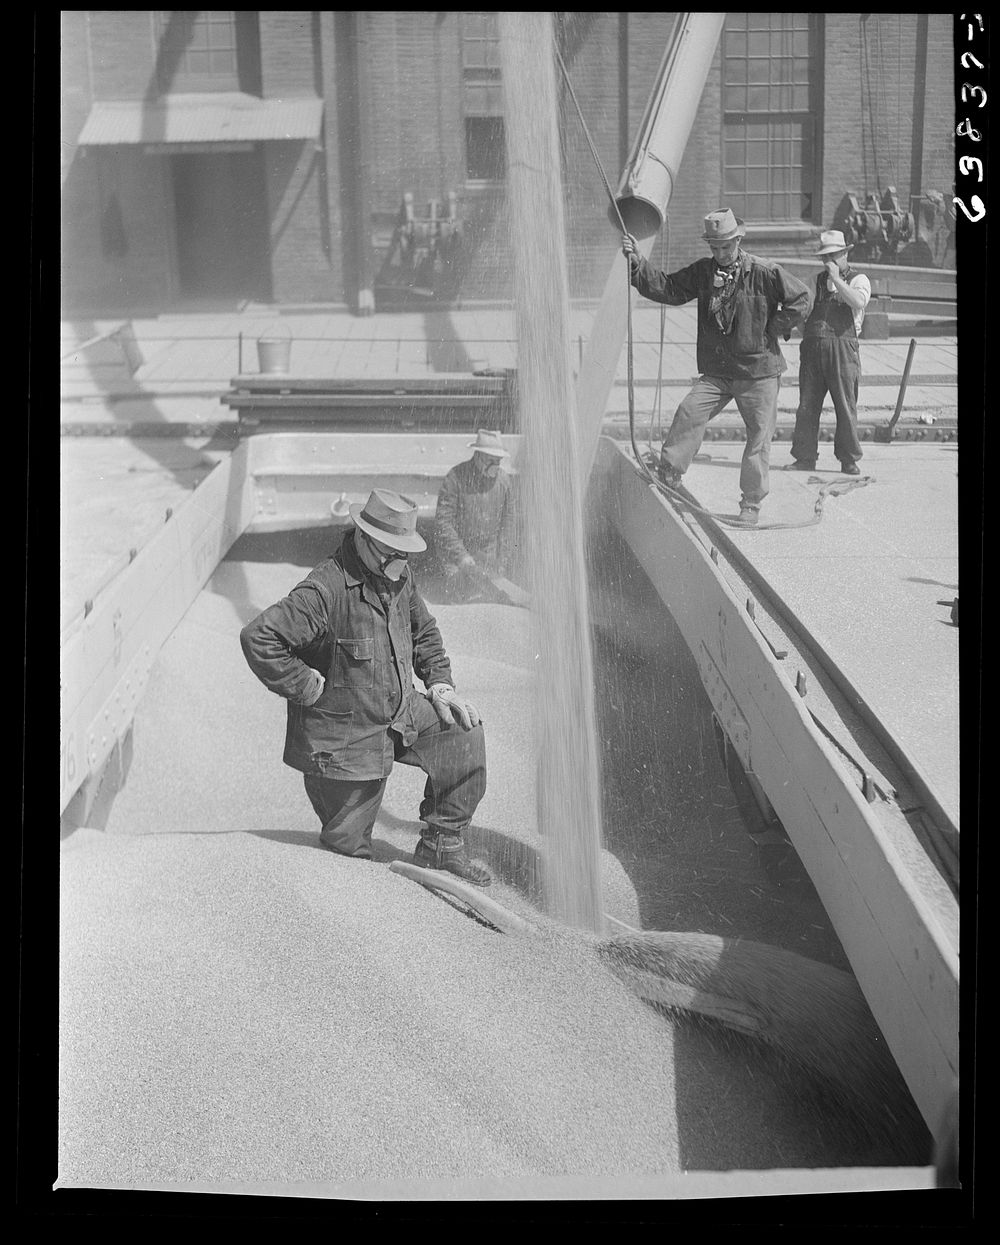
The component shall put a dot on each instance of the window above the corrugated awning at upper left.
(207, 52)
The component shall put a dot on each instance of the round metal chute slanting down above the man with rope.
(652, 171)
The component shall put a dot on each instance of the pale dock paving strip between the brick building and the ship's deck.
(169, 372)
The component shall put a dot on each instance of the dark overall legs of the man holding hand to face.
(829, 365)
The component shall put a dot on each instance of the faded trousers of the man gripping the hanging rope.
(758, 403)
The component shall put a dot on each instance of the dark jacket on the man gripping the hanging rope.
(770, 303)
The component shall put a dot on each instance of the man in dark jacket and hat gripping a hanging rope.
(745, 306)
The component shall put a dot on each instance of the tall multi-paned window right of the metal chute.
(770, 87)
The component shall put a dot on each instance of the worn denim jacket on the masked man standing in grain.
(367, 647)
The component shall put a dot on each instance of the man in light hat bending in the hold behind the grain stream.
(475, 522)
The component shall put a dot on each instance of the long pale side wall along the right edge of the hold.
(905, 961)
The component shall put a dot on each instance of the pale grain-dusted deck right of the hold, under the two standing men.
(874, 583)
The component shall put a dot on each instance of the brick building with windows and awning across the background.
(265, 156)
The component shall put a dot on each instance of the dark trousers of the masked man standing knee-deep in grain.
(454, 761)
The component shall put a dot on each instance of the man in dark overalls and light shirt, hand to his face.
(830, 358)
